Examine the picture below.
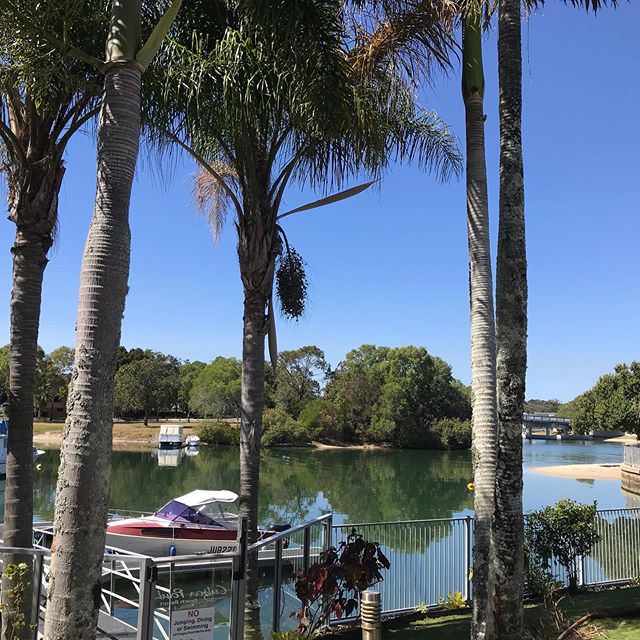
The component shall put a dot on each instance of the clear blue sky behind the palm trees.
(390, 267)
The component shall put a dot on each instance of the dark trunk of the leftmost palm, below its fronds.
(33, 190)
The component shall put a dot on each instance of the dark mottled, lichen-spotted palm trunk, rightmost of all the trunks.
(511, 315)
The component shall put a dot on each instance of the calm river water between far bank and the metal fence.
(357, 485)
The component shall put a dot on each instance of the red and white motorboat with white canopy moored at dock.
(197, 522)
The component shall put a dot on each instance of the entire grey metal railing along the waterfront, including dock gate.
(430, 559)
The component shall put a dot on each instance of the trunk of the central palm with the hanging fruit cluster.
(257, 259)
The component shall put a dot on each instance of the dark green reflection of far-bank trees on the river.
(363, 486)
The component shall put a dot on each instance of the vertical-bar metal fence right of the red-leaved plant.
(431, 559)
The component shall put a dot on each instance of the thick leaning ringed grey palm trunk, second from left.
(84, 476)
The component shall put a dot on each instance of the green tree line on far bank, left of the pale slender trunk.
(402, 397)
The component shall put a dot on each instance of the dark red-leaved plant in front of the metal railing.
(332, 585)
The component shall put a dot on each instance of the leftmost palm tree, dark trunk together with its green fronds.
(45, 98)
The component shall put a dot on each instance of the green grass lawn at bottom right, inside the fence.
(457, 627)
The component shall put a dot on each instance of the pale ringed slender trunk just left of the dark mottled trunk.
(483, 356)
